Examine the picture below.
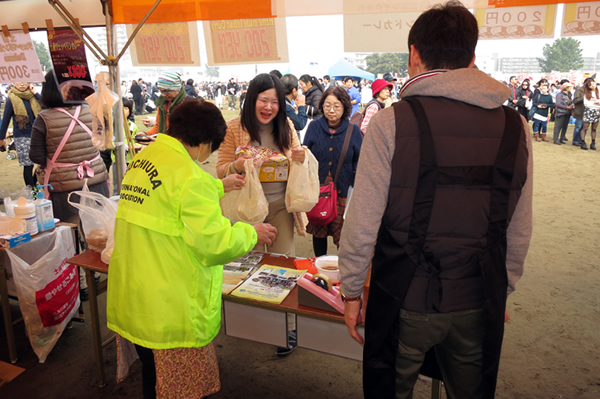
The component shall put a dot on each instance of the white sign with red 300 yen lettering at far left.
(18, 60)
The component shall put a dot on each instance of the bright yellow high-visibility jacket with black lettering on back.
(171, 240)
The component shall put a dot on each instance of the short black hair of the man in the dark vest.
(445, 36)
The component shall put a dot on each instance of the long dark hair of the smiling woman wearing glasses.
(281, 128)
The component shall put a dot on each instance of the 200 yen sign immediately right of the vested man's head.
(536, 22)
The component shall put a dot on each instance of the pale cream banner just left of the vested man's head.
(378, 33)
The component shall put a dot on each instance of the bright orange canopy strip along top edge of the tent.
(132, 11)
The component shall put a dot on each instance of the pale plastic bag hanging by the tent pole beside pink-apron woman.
(101, 103)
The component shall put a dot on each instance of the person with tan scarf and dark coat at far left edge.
(22, 107)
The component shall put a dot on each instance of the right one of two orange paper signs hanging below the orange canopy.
(246, 41)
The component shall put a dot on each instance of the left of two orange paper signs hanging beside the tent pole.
(165, 44)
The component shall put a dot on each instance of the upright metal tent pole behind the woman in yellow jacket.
(113, 71)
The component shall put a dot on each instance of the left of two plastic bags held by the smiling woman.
(251, 206)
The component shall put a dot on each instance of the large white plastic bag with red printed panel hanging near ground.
(47, 287)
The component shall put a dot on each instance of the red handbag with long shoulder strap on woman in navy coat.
(325, 211)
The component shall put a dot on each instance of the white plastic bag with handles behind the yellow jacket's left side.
(97, 214)
